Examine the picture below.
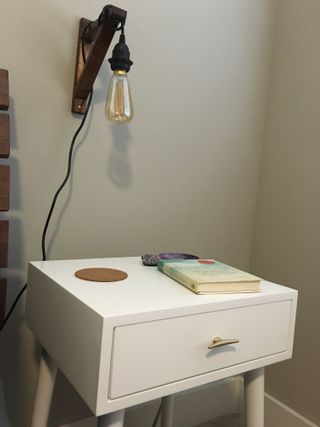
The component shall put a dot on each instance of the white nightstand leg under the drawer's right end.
(254, 397)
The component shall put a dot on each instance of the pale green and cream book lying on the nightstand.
(207, 276)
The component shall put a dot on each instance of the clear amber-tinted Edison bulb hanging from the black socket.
(119, 107)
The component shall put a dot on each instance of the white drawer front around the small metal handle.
(151, 354)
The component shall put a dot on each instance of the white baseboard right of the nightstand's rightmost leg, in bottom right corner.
(279, 415)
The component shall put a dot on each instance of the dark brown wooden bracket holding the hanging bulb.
(93, 41)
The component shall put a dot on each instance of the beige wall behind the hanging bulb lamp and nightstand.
(183, 176)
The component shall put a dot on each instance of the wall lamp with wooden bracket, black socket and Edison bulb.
(93, 42)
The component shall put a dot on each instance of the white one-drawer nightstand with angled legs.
(147, 337)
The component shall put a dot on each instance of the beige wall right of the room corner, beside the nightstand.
(286, 243)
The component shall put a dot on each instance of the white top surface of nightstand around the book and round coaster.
(145, 290)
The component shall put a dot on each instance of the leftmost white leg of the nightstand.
(45, 386)
